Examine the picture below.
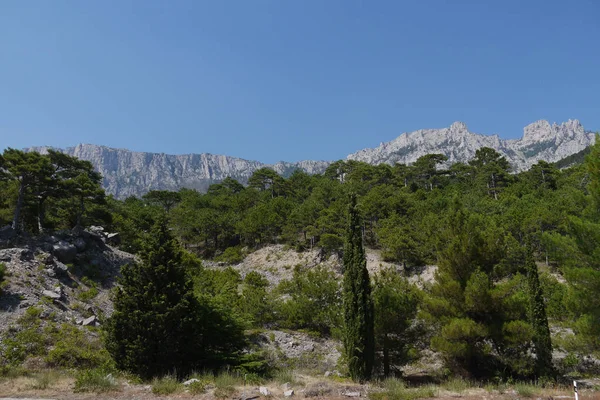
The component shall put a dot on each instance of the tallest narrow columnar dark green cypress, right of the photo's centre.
(359, 338)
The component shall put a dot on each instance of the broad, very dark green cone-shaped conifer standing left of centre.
(158, 325)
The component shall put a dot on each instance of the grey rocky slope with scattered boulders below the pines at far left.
(68, 275)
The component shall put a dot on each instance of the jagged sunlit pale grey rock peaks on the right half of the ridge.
(540, 141)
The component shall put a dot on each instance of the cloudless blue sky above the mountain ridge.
(289, 79)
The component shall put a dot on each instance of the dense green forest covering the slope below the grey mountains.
(516, 254)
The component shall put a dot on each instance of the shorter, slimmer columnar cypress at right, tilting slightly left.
(539, 321)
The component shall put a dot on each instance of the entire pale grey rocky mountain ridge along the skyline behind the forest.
(128, 173)
